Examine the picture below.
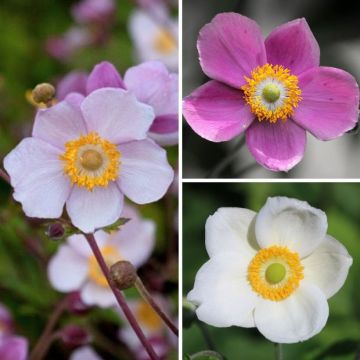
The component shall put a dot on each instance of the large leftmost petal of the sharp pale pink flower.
(36, 174)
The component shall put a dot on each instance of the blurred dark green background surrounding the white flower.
(340, 339)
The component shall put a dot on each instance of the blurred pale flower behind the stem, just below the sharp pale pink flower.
(74, 266)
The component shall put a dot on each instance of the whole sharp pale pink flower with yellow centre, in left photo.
(88, 156)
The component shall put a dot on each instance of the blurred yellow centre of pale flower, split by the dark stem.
(111, 255)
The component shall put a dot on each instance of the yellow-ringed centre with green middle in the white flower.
(275, 272)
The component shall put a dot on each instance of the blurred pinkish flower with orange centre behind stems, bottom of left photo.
(152, 326)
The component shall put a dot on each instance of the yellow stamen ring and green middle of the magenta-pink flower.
(272, 92)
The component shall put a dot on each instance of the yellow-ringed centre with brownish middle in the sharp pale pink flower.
(91, 161)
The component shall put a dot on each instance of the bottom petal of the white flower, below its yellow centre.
(297, 318)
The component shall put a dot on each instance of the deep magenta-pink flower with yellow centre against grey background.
(273, 90)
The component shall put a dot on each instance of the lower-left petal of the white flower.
(223, 293)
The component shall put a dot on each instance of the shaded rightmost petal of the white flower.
(328, 266)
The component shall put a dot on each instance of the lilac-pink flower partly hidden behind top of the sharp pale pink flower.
(150, 82)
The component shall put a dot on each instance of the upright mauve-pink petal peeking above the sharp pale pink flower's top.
(104, 75)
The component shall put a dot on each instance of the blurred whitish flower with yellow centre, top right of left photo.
(155, 37)
